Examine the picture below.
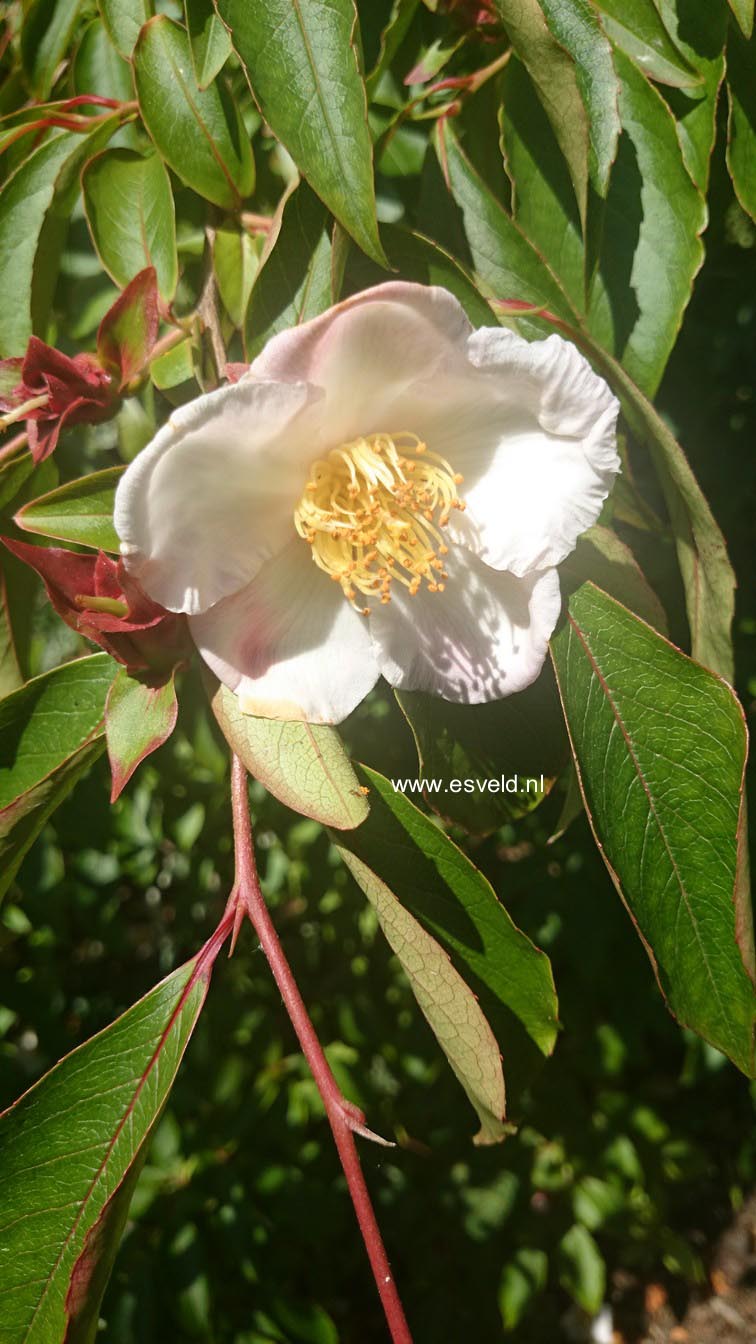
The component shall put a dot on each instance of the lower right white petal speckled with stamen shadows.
(484, 638)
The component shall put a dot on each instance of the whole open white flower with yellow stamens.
(387, 493)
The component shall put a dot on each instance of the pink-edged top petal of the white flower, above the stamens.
(368, 350)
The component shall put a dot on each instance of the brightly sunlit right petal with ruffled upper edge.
(539, 455)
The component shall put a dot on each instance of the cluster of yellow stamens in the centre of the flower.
(372, 513)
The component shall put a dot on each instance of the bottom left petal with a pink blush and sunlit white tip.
(290, 644)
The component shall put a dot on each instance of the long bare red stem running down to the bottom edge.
(344, 1118)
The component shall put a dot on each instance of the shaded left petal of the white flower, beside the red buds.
(213, 495)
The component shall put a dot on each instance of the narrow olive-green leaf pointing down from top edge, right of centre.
(555, 75)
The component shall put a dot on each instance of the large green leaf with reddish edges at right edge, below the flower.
(660, 745)
